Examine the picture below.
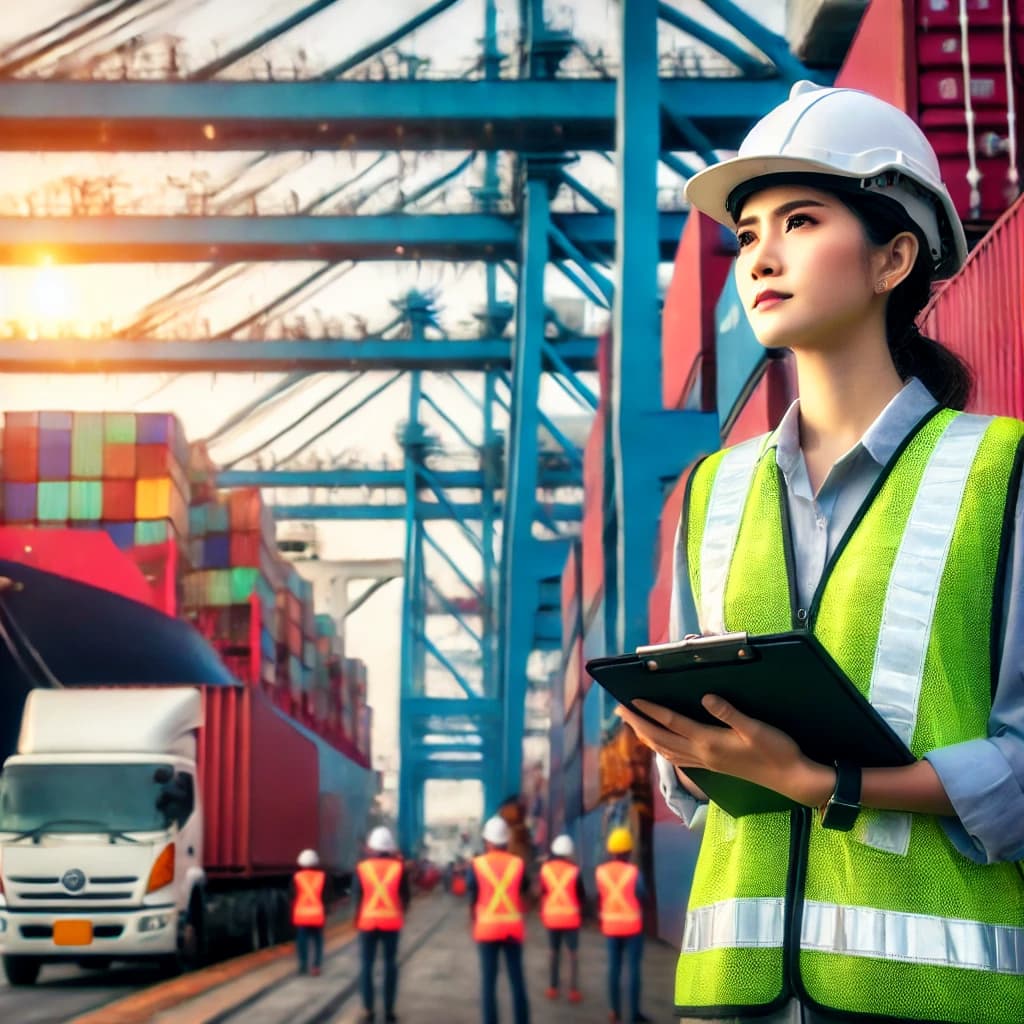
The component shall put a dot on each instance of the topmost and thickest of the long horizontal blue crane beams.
(535, 115)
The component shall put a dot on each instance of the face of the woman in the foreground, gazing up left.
(806, 273)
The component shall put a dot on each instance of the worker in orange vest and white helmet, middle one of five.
(496, 886)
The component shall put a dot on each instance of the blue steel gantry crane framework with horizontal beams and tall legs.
(463, 709)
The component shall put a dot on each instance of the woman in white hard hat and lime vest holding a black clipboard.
(886, 523)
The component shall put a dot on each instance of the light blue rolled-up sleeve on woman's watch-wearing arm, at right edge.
(985, 779)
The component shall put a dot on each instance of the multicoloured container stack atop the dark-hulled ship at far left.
(120, 473)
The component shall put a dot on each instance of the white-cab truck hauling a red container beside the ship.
(161, 824)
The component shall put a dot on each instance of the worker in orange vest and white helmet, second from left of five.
(380, 895)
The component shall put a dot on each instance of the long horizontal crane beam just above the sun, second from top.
(367, 237)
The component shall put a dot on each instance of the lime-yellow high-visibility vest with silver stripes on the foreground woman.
(888, 919)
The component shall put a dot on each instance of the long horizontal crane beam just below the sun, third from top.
(148, 357)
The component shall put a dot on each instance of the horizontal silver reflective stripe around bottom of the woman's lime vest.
(913, 938)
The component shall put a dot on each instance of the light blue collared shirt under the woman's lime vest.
(985, 779)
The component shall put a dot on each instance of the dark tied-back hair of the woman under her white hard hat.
(941, 370)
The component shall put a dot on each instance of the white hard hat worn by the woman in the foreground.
(848, 135)
